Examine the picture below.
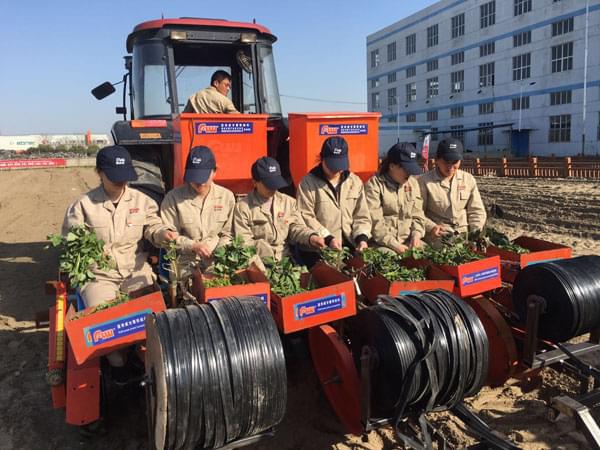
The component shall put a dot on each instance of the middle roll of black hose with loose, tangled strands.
(432, 352)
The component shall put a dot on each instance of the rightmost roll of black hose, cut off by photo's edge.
(571, 290)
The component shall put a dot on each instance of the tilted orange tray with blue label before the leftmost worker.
(112, 328)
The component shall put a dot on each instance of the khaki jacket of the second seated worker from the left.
(206, 220)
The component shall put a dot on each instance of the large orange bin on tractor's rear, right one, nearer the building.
(309, 130)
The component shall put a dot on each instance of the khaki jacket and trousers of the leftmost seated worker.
(122, 228)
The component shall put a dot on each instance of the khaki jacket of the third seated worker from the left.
(270, 225)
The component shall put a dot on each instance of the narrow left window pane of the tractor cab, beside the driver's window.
(150, 90)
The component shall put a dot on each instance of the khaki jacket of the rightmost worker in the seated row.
(455, 203)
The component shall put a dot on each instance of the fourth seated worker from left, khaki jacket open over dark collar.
(331, 200)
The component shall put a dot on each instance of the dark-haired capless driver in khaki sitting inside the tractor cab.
(213, 99)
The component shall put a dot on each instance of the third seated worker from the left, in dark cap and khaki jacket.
(269, 219)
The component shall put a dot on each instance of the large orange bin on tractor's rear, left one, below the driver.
(237, 140)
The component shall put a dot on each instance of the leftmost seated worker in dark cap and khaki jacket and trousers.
(122, 217)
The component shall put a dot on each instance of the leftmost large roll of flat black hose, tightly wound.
(225, 372)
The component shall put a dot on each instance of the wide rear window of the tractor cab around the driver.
(195, 64)
